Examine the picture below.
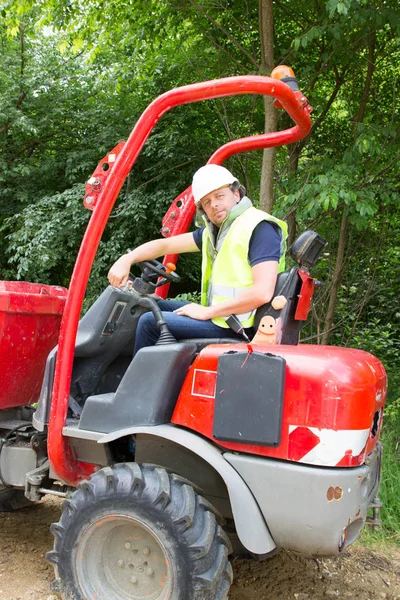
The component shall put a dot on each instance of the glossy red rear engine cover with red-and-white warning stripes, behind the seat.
(333, 403)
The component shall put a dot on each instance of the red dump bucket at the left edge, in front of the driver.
(30, 316)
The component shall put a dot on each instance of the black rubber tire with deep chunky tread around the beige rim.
(204, 544)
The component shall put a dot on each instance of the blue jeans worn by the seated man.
(147, 332)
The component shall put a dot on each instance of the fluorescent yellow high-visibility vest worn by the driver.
(227, 272)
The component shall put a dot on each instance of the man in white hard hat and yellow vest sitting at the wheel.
(242, 249)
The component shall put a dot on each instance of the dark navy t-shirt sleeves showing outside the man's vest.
(265, 243)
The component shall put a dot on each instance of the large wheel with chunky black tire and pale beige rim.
(136, 532)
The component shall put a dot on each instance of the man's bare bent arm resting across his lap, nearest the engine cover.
(264, 276)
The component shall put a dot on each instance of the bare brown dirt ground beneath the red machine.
(361, 574)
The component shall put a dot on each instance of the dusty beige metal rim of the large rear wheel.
(119, 557)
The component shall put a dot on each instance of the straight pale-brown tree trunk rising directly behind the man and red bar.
(266, 26)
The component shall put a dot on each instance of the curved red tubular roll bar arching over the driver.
(101, 194)
